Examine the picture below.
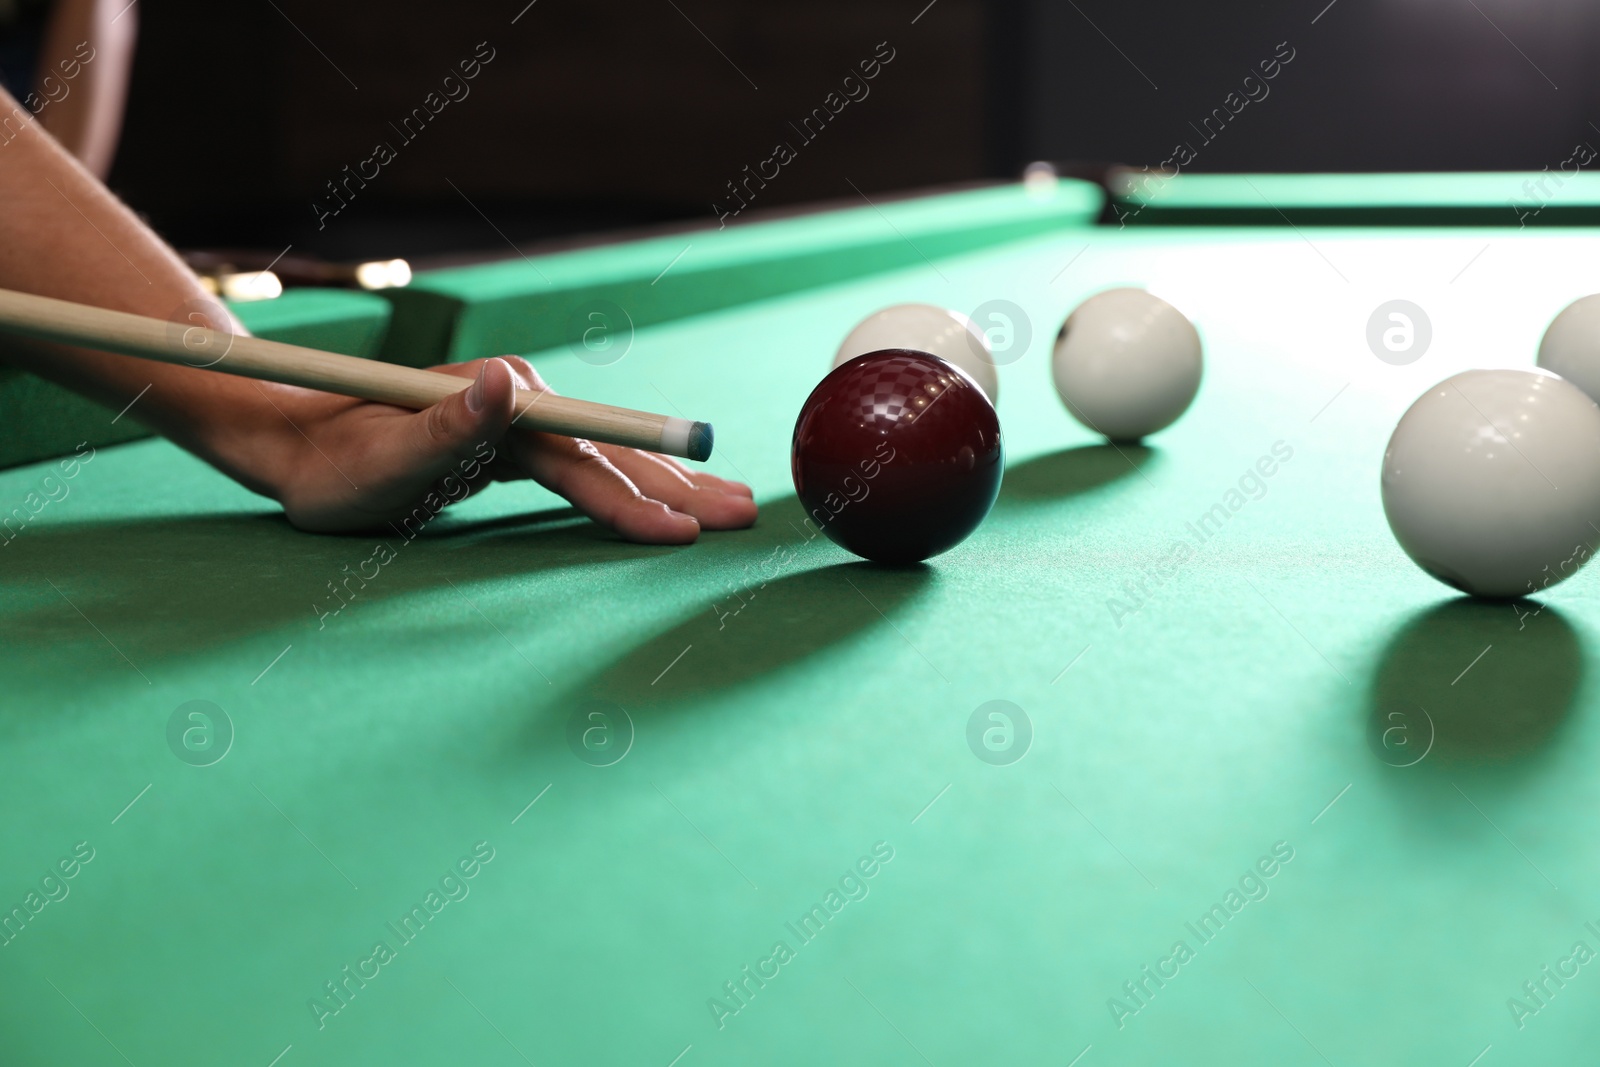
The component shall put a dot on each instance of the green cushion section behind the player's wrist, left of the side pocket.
(41, 420)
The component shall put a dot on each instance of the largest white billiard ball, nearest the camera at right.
(1492, 481)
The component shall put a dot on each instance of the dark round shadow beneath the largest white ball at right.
(1474, 684)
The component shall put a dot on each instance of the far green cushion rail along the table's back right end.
(1566, 194)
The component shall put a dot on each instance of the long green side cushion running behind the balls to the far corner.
(606, 294)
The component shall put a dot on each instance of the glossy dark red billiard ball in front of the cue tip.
(897, 457)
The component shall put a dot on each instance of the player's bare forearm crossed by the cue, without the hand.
(65, 236)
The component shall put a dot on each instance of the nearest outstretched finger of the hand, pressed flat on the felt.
(596, 487)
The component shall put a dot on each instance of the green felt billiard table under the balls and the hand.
(530, 794)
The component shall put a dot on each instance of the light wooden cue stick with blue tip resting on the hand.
(49, 319)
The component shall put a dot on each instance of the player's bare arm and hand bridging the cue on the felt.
(332, 462)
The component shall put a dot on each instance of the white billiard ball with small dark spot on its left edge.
(1127, 364)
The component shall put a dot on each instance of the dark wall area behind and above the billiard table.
(604, 114)
